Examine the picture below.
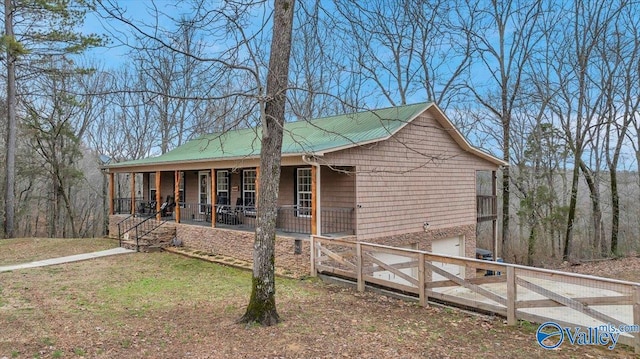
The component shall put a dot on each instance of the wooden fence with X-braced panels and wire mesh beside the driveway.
(514, 291)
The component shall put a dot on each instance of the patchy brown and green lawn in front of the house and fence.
(162, 305)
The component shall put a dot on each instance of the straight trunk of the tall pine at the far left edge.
(10, 178)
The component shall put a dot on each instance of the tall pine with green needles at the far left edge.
(34, 33)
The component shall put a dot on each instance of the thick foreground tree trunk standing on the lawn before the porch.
(262, 304)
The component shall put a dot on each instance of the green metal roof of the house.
(302, 137)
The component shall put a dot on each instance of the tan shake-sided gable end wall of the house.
(418, 175)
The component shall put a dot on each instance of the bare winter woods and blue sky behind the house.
(552, 87)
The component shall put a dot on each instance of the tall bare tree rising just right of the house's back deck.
(505, 36)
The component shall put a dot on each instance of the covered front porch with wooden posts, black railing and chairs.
(313, 199)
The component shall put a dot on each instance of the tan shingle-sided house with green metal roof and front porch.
(401, 175)
